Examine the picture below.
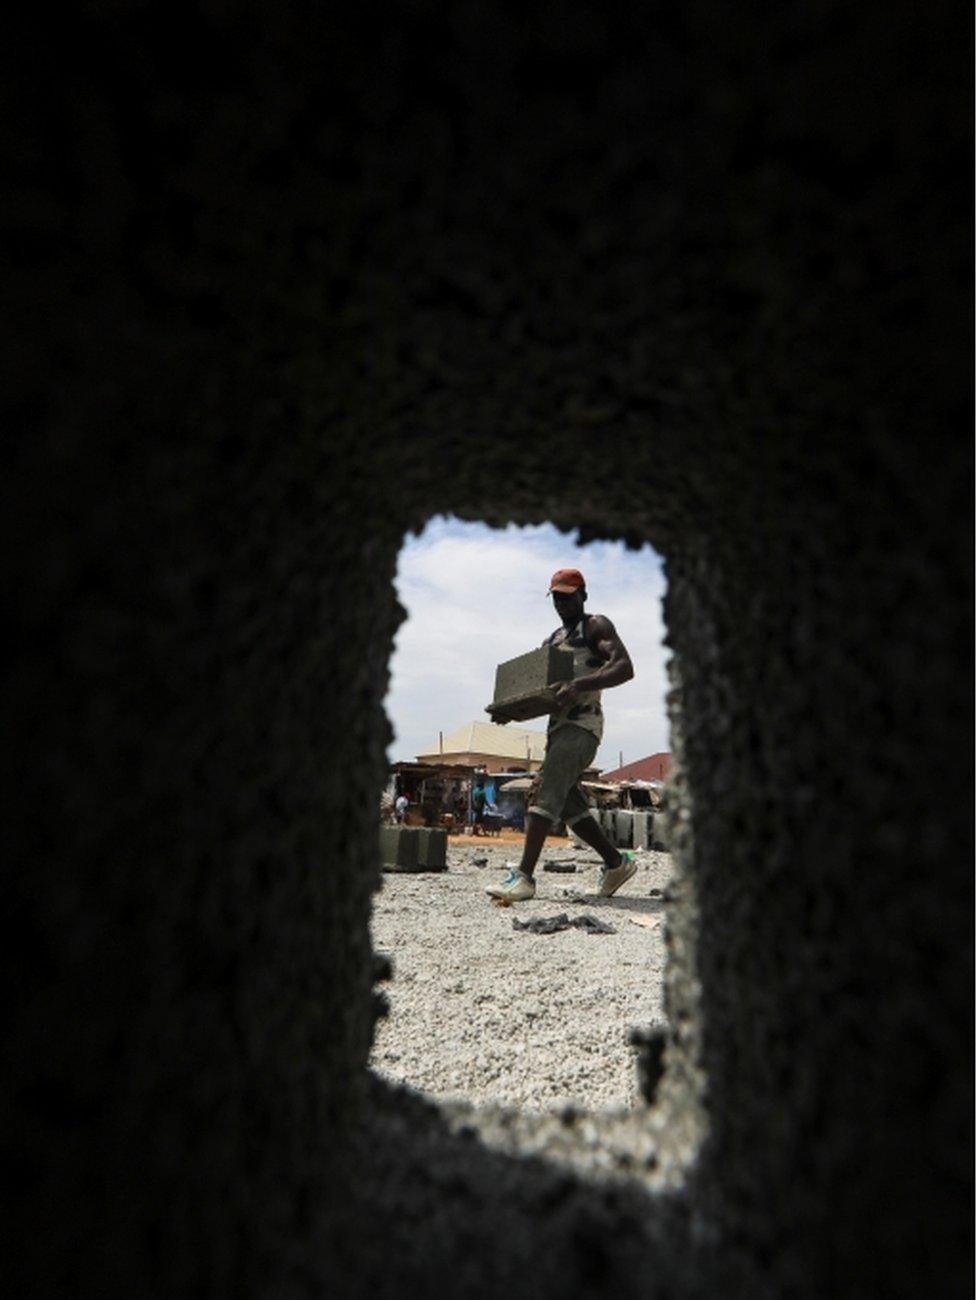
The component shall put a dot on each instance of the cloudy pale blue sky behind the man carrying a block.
(476, 596)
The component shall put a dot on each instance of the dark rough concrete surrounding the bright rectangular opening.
(693, 278)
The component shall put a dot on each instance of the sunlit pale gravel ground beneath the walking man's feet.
(485, 1015)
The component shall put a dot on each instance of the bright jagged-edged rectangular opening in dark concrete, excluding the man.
(487, 1017)
